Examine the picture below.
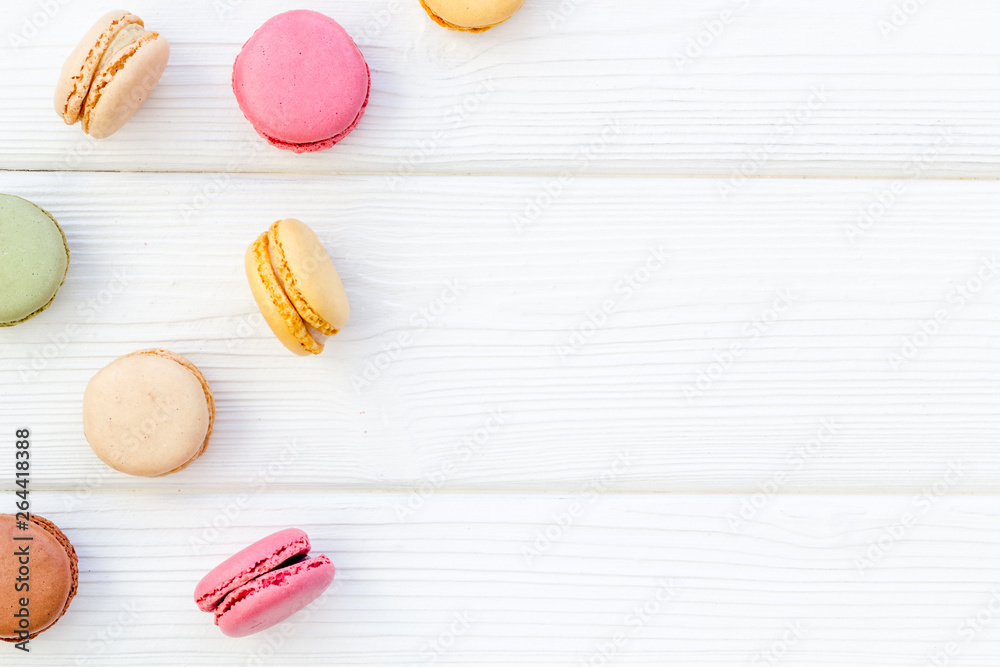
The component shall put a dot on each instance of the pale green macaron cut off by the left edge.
(34, 259)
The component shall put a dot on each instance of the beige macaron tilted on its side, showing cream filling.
(110, 74)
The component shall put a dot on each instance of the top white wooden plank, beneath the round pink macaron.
(777, 88)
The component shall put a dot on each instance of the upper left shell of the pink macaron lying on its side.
(260, 557)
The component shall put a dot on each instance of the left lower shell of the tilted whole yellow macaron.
(278, 311)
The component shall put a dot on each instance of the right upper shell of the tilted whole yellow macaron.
(308, 275)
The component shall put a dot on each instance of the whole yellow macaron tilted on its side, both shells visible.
(296, 286)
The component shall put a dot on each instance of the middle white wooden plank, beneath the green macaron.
(767, 344)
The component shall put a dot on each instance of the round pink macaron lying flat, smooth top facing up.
(301, 81)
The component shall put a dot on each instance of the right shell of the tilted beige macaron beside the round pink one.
(123, 86)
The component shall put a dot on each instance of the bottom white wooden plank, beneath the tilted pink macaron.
(726, 598)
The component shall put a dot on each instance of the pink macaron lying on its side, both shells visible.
(264, 584)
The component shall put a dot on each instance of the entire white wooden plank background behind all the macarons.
(777, 447)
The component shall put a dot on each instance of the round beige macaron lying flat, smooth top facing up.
(149, 413)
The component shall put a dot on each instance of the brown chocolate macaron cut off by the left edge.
(49, 571)
